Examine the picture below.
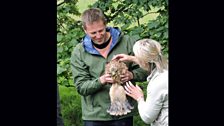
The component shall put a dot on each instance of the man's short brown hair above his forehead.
(91, 15)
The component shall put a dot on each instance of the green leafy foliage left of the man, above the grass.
(69, 33)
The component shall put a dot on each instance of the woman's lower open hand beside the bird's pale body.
(134, 91)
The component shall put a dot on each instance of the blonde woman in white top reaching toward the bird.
(153, 110)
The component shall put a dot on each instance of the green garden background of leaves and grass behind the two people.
(138, 18)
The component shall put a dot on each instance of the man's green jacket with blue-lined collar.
(88, 65)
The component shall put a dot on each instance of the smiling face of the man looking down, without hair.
(97, 31)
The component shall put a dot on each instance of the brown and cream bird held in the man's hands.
(119, 104)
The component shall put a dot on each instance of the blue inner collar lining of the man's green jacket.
(88, 46)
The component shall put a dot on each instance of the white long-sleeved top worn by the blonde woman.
(154, 110)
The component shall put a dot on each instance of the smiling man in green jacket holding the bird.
(88, 61)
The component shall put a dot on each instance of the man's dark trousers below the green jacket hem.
(122, 122)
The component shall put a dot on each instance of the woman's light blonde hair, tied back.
(149, 51)
